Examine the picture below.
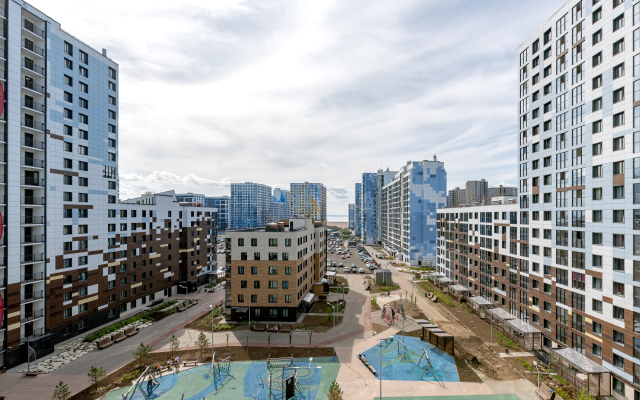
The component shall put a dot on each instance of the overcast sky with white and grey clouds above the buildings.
(213, 92)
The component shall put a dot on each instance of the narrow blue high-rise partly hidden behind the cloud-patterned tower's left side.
(372, 183)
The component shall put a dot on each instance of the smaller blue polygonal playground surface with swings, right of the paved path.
(408, 362)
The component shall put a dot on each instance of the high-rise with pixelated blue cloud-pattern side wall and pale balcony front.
(409, 204)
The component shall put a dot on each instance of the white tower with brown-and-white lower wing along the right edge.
(566, 260)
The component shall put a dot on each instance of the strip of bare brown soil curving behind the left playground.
(237, 353)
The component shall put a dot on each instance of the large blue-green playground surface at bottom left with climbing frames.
(241, 381)
